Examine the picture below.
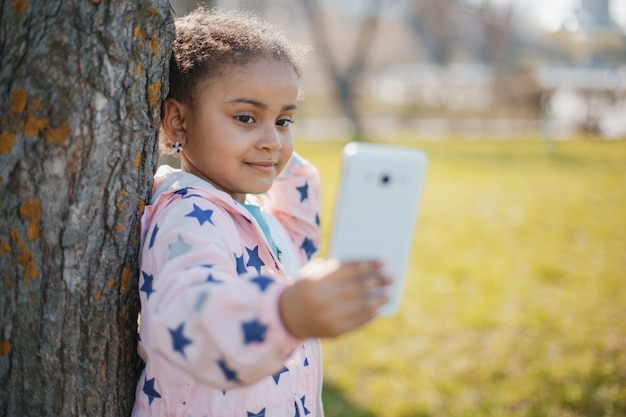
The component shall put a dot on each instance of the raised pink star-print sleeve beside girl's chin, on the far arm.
(295, 200)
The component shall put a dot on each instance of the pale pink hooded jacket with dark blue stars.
(210, 334)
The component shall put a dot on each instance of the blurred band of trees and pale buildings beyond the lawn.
(476, 68)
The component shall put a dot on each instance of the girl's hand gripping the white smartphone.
(332, 298)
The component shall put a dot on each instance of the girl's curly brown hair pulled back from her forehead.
(210, 41)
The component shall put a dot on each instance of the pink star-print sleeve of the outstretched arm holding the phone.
(201, 311)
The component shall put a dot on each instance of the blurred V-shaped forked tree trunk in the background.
(345, 80)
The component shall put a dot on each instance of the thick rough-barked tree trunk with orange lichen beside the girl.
(82, 82)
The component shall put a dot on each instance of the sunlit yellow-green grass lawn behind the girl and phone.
(516, 299)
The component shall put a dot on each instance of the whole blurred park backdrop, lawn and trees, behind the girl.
(515, 302)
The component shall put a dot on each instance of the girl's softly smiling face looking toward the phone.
(238, 133)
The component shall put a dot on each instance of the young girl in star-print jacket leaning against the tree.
(226, 329)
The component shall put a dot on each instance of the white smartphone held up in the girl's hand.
(377, 208)
